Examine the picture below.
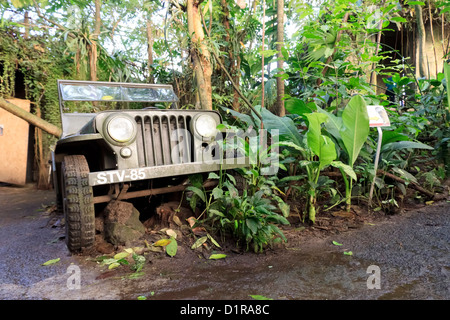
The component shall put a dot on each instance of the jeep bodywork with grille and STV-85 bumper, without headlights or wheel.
(165, 142)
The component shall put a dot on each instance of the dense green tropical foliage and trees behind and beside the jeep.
(307, 69)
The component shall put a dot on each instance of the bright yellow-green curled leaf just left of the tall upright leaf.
(322, 146)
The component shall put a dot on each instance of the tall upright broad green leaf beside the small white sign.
(355, 129)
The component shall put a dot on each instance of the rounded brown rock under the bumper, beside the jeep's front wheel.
(122, 223)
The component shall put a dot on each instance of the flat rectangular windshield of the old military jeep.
(90, 97)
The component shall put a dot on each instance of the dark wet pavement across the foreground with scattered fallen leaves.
(404, 257)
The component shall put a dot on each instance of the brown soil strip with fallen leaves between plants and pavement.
(177, 223)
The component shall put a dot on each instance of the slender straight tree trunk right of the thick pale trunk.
(280, 39)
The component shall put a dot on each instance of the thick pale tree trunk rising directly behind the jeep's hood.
(200, 54)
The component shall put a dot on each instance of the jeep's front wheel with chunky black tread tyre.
(78, 206)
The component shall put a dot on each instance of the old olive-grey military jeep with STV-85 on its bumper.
(126, 140)
